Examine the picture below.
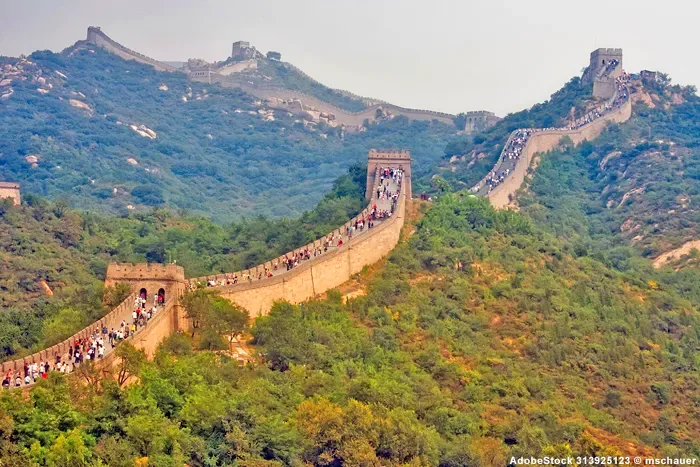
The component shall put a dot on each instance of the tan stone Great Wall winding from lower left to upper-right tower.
(319, 273)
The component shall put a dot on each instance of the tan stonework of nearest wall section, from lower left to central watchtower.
(309, 279)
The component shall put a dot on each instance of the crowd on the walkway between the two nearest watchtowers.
(387, 196)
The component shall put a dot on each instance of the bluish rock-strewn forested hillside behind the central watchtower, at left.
(112, 135)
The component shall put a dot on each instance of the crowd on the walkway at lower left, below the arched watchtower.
(91, 348)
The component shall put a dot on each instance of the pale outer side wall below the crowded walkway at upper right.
(544, 141)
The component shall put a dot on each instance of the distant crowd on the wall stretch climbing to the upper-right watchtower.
(516, 144)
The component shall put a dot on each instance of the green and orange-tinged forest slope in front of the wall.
(483, 337)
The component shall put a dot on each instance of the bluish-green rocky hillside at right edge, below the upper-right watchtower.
(635, 186)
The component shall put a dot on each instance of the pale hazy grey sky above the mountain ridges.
(453, 56)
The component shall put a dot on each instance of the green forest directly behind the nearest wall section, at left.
(69, 251)
